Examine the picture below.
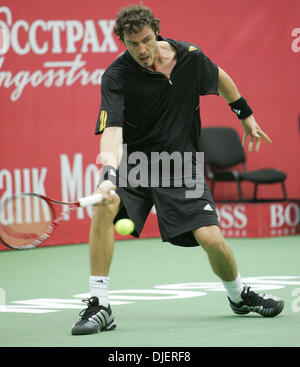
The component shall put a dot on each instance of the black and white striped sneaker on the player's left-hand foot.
(94, 318)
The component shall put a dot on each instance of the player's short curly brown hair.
(133, 18)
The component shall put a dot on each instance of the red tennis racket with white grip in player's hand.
(28, 219)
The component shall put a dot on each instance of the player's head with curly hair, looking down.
(137, 27)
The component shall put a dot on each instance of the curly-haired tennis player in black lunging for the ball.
(150, 103)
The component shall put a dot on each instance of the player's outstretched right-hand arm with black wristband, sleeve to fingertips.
(229, 91)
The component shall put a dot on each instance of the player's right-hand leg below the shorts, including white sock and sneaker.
(242, 299)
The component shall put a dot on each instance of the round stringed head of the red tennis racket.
(25, 220)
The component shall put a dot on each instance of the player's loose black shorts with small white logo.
(177, 215)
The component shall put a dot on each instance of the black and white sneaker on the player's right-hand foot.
(263, 304)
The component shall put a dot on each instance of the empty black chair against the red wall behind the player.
(223, 150)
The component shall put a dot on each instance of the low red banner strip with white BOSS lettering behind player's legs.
(237, 220)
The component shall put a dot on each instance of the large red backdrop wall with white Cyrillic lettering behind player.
(53, 55)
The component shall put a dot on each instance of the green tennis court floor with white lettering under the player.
(161, 295)
